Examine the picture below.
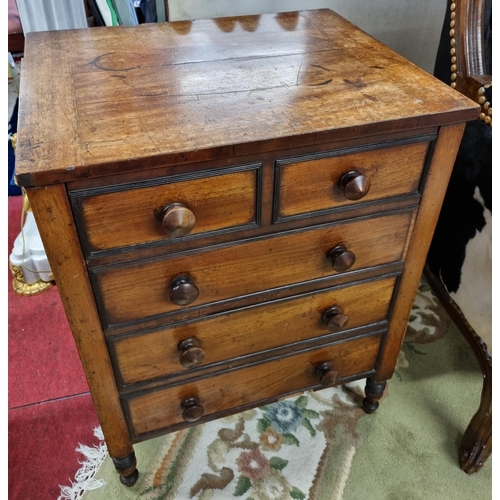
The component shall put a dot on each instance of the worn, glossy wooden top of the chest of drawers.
(110, 100)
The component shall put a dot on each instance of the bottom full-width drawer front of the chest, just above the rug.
(161, 409)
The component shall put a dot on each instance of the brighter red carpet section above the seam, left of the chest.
(43, 362)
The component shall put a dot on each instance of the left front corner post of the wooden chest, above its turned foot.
(52, 211)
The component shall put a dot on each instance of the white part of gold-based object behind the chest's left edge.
(29, 254)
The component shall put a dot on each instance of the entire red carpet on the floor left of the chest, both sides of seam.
(50, 409)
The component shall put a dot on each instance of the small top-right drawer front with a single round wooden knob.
(306, 186)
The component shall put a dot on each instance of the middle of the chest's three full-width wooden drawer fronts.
(253, 329)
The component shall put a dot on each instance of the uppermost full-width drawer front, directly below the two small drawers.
(131, 292)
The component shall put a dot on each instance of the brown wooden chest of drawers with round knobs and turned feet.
(234, 211)
